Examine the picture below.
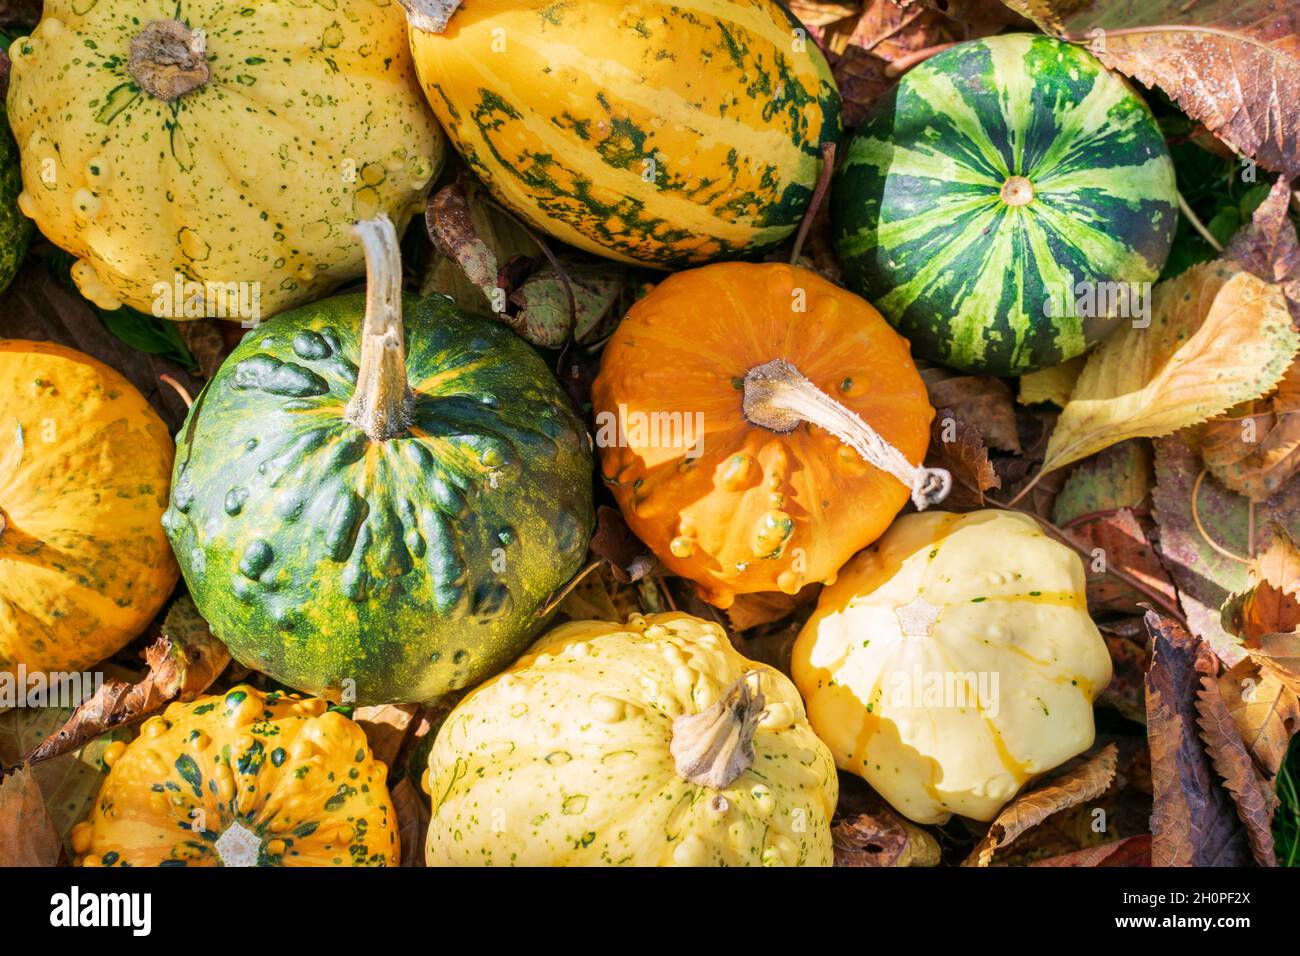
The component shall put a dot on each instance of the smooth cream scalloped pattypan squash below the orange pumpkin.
(954, 661)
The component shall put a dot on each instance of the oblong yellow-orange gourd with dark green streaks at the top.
(652, 132)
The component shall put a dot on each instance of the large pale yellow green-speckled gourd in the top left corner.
(227, 144)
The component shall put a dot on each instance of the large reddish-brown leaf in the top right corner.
(1232, 64)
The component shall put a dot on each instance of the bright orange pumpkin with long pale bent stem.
(759, 426)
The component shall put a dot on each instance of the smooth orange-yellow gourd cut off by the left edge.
(85, 474)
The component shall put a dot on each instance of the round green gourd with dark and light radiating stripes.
(994, 179)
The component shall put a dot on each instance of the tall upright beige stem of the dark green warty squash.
(382, 404)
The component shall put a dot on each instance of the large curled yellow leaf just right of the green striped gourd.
(1219, 336)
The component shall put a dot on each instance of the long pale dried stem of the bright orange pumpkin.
(779, 399)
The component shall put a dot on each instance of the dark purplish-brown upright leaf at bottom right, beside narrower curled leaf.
(1194, 820)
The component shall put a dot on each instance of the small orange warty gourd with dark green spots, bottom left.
(242, 780)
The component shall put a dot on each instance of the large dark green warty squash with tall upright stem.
(379, 514)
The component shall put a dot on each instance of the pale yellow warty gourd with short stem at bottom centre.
(652, 743)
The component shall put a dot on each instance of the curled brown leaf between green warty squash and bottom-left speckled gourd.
(184, 661)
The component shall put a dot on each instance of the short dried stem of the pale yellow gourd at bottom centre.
(717, 746)
